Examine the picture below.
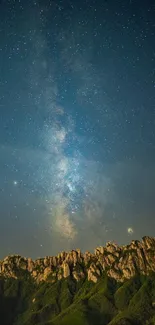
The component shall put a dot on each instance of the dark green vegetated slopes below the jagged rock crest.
(67, 302)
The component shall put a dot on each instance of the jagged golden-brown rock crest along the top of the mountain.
(119, 262)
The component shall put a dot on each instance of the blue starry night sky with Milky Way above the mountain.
(77, 124)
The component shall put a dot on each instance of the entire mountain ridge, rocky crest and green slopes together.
(114, 286)
